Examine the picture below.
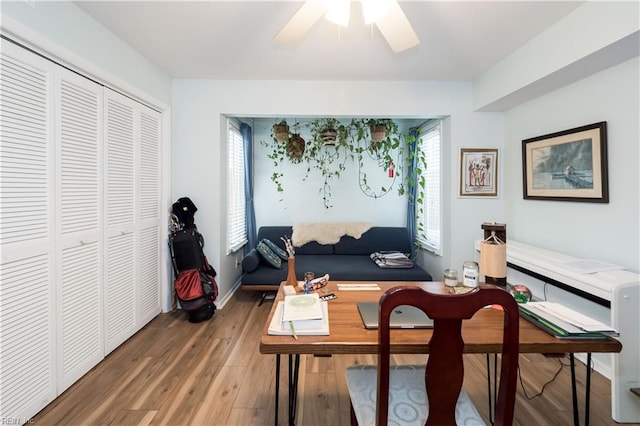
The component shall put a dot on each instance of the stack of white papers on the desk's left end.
(305, 315)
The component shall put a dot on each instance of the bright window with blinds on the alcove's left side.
(236, 203)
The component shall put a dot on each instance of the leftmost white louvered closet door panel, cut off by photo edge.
(27, 333)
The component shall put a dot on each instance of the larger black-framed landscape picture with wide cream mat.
(567, 166)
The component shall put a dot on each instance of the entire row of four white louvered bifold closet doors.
(80, 229)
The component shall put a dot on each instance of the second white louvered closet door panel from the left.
(78, 180)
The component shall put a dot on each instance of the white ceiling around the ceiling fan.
(459, 40)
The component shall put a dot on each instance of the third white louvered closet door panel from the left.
(120, 198)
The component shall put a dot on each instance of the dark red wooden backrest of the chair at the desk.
(445, 367)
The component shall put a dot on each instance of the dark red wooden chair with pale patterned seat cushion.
(433, 394)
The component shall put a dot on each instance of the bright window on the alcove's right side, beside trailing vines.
(430, 137)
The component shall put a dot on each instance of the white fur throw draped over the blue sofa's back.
(326, 233)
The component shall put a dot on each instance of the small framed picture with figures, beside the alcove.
(478, 172)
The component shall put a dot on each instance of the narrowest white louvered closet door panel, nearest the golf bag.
(149, 224)
